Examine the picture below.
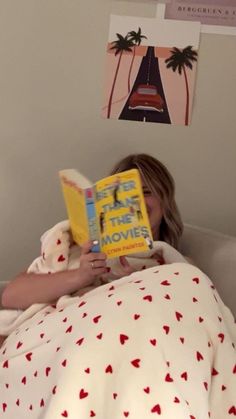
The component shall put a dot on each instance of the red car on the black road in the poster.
(146, 98)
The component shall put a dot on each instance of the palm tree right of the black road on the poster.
(179, 60)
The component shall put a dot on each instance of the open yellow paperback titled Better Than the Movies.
(111, 212)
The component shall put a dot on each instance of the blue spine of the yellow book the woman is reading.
(92, 219)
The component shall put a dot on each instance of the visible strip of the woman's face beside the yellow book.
(154, 210)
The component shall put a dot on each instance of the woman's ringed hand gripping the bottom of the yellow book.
(92, 265)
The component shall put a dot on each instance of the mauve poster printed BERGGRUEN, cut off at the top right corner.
(217, 16)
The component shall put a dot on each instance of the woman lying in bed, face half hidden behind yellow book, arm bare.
(166, 224)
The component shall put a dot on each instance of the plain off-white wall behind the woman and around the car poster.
(52, 55)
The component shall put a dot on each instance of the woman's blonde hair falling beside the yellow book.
(161, 184)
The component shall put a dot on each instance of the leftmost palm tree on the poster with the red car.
(120, 45)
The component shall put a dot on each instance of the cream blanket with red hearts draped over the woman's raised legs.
(158, 343)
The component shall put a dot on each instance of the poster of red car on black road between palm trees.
(150, 70)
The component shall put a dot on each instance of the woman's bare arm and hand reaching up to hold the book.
(29, 288)
